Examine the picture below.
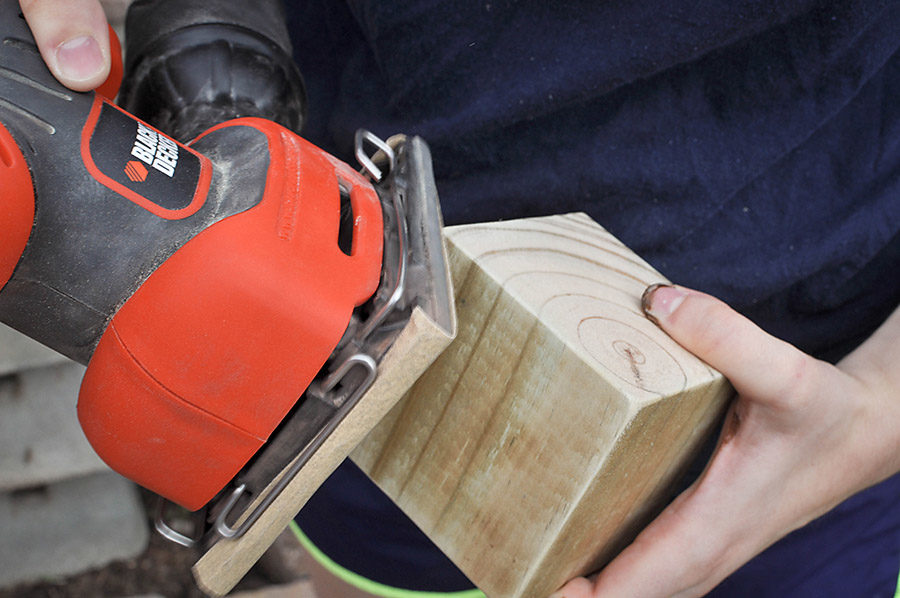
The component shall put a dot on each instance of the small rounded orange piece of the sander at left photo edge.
(17, 205)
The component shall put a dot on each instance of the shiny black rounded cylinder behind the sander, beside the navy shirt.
(192, 64)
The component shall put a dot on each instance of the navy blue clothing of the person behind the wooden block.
(750, 149)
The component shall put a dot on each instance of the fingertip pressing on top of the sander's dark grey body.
(73, 38)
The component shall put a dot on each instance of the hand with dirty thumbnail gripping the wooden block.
(801, 437)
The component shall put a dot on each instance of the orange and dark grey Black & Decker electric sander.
(230, 287)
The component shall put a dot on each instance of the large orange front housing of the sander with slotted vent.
(243, 316)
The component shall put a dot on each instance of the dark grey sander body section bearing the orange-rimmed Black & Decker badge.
(113, 199)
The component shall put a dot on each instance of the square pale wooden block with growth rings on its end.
(548, 433)
